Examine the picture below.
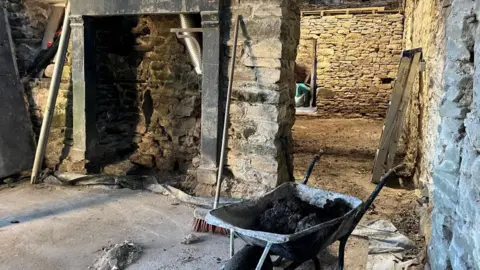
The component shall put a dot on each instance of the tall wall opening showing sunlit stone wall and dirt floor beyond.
(358, 53)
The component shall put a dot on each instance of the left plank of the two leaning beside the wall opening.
(389, 125)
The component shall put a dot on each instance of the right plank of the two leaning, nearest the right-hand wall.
(414, 69)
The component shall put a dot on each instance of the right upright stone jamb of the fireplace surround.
(211, 111)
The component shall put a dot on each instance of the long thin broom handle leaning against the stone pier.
(227, 112)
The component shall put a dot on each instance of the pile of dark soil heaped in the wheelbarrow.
(291, 215)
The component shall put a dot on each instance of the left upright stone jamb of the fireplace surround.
(83, 81)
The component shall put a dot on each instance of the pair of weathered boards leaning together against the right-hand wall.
(392, 129)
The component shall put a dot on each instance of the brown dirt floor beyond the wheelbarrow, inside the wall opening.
(349, 147)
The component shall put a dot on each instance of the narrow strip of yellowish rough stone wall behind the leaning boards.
(424, 28)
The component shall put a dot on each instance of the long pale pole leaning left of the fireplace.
(52, 96)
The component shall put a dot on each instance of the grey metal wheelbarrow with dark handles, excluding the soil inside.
(301, 246)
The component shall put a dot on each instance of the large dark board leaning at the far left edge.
(16, 139)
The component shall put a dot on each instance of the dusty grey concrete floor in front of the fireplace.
(66, 228)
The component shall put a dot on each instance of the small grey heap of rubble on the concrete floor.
(118, 256)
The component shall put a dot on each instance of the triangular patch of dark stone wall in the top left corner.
(28, 19)
